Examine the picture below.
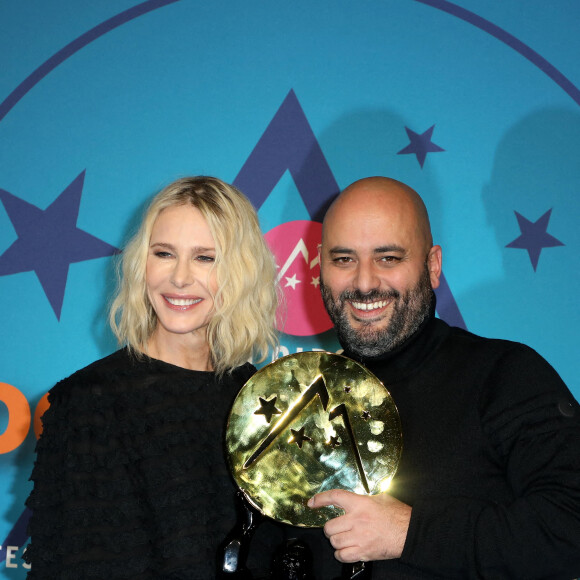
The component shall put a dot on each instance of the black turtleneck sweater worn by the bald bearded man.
(491, 459)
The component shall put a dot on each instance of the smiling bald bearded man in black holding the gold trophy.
(489, 480)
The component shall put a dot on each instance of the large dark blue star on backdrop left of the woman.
(49, 241)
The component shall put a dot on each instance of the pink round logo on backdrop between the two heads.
(295, 247)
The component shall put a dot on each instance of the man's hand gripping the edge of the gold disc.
(373, 527)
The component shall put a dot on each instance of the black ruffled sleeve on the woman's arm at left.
(86, 517)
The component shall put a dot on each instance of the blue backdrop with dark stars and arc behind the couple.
(474, 104)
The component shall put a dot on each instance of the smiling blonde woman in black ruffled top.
(130, 479)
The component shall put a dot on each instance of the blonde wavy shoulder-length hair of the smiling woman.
(242, 327)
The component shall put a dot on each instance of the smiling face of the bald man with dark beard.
(377, 274)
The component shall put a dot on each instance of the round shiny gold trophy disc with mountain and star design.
(310, 422)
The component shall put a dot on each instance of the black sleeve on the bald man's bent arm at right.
(533, 423)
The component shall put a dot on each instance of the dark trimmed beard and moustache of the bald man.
(409, 311)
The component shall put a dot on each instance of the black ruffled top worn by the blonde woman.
(130, 479)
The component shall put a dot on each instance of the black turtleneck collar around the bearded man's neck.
(409, 356)
